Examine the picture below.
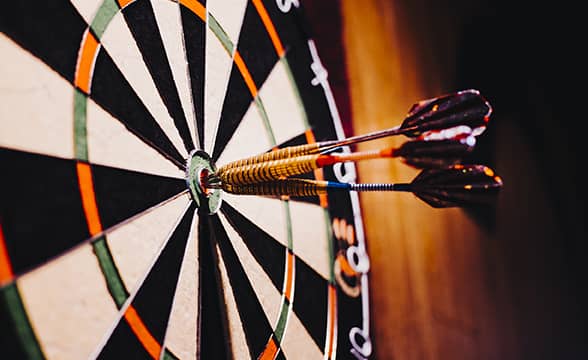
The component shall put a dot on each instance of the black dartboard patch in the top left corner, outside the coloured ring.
(51, 30)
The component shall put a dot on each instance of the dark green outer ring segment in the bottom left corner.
(20, 322)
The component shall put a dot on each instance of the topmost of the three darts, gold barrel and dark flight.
(464, 108)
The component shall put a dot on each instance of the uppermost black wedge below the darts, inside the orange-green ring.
(268, 252)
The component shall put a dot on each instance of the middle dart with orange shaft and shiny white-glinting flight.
(432, 149)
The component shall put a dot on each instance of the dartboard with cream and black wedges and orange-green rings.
(109, 246)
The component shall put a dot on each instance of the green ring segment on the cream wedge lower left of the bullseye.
(113, 279)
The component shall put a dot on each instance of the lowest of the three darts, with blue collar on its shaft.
(455, 186)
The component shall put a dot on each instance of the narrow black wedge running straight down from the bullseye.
(213, 334)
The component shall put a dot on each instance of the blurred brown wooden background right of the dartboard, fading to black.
(498, 282)
